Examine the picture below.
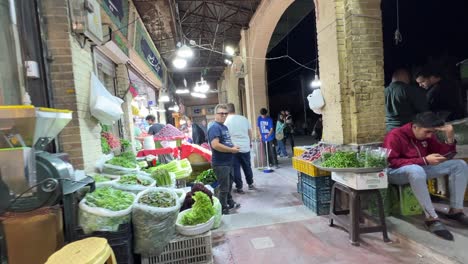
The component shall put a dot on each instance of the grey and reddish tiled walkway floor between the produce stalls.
(260, 233)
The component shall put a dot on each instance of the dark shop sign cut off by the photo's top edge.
(117, 10)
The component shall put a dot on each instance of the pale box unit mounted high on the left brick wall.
(86, 19)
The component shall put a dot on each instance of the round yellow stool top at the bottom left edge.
(93, 250)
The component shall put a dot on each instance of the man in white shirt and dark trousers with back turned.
(241, 135)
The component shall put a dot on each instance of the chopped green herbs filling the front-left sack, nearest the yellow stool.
(109, 198)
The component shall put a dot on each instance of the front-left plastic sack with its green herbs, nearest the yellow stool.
(105, 209)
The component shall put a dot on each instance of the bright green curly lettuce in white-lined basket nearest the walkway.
(202, 210)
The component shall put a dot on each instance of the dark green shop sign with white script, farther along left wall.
(145, 48)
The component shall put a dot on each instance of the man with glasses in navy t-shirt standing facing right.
(222, 157)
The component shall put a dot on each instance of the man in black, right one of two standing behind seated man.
(443, 96)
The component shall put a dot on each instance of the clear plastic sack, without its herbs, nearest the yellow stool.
(99, 219)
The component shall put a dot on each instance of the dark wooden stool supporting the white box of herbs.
(352, 225)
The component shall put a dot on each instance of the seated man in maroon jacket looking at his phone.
(417, 156)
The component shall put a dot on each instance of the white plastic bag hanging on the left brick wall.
(103, 105)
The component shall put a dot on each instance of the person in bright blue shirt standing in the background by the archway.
(266, 133)
